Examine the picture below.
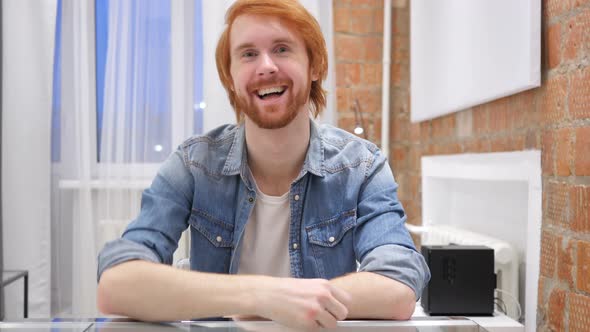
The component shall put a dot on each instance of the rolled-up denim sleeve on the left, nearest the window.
(165, 209)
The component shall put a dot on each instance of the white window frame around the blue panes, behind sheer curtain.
(83, 35)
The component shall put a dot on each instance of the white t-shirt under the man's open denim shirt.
(265, 245)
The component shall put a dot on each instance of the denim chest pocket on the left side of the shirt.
(219, 233)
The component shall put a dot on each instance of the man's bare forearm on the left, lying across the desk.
(156, 292)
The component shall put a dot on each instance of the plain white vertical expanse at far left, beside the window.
(27, 36)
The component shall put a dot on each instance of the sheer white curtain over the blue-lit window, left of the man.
(114, 130)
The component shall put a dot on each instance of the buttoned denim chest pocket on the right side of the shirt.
(331, 244)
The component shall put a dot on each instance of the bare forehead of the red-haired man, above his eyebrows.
(258, 30)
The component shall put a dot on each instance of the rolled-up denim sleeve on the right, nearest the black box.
(383, 245)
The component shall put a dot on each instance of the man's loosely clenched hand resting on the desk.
(302, 303)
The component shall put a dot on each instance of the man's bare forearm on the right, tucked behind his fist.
(375, 296)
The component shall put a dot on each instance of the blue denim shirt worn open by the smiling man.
(344, 210)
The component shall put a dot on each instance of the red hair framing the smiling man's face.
(296, 16)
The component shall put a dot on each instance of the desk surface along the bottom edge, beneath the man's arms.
(417, 324)
